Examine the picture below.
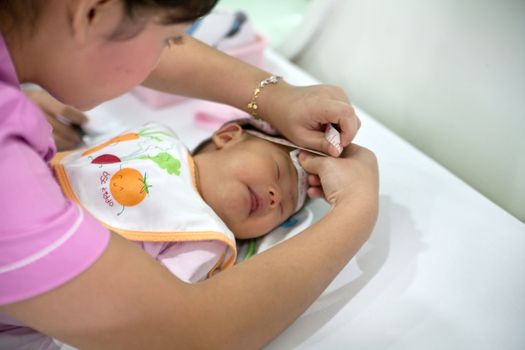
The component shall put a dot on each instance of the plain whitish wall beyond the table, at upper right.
(447, 75)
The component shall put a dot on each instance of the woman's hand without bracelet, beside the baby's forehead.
(352, 176)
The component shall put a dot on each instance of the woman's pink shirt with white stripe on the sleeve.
(45, 239)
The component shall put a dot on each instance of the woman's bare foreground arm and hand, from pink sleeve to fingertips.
(128, 300)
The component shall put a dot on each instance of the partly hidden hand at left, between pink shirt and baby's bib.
(61, 118)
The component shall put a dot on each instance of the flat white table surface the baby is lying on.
(443, 269)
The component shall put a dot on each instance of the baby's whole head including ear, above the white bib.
(251, 183)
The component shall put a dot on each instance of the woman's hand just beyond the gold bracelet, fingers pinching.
(301, 113)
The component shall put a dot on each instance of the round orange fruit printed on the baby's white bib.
(128, 187)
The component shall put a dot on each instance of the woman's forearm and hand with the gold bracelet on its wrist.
(299, 112)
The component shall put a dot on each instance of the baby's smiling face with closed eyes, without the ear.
(256, 187)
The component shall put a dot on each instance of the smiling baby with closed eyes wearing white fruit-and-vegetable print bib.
(187, 209)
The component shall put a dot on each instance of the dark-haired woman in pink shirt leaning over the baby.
(63, 274)
